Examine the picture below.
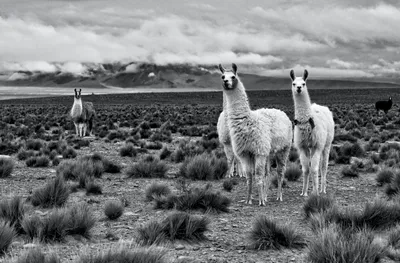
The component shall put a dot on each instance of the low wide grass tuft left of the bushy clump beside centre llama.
(147, 169)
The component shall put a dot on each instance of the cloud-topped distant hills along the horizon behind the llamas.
(133, 75)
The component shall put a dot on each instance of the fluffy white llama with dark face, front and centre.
(255, 135)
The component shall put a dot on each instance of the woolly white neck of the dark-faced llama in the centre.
(237, 103)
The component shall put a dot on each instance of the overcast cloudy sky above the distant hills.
(336, 38)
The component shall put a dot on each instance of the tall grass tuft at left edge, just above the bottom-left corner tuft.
(13, 212)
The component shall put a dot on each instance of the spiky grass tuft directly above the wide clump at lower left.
(54, 194)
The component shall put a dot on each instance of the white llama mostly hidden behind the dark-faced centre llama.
(225, 139)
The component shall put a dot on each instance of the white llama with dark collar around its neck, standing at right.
(313, 134)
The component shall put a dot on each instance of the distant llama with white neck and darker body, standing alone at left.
(83, 114)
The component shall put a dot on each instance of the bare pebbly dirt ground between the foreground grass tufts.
(228, 231)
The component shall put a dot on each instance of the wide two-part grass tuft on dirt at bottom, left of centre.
(177, 226)
